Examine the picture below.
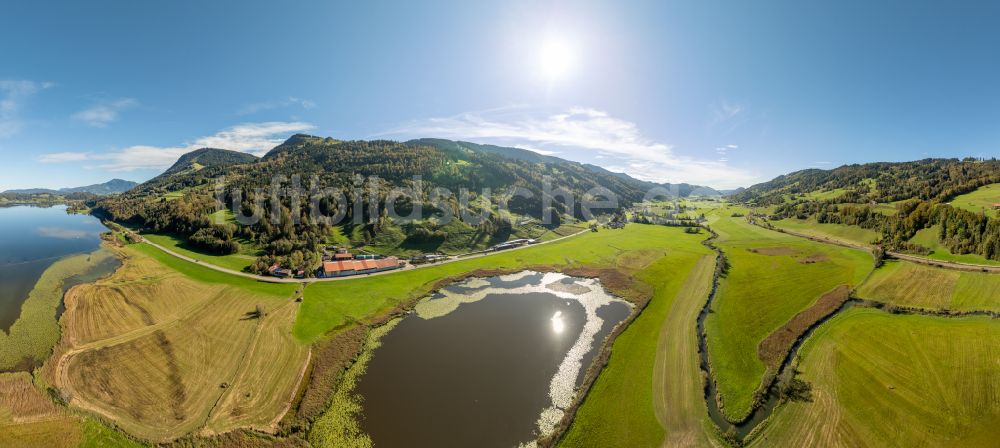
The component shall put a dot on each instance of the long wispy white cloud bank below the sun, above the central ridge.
(590, 131)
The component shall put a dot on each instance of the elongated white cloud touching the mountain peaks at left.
(253, 138)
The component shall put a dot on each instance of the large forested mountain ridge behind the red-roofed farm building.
(181, 200)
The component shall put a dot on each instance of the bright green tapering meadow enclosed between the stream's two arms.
(772, 277)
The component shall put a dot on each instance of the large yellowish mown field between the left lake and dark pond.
(160, 353)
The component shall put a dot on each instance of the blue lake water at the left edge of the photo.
(31, 239)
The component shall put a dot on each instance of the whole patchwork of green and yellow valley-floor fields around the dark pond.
(169, 346)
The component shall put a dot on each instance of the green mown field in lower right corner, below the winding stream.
(880, 379)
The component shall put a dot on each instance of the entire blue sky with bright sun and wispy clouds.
(719, 93)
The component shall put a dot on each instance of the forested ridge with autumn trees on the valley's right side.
(895, 199)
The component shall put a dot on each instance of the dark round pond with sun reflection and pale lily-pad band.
(486, 362)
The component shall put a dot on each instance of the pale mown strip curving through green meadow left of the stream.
(677, 387)
